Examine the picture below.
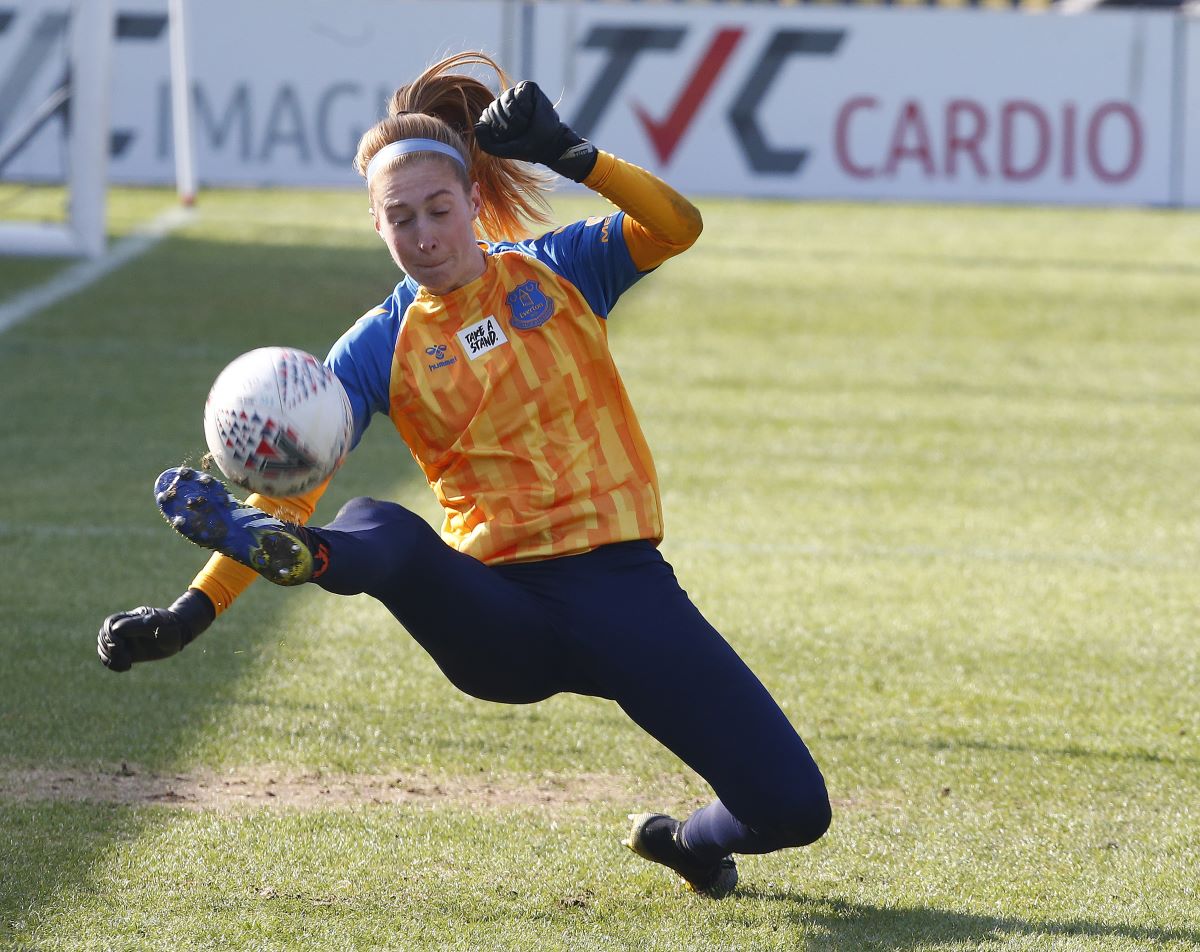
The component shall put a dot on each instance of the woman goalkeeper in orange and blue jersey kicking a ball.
(491, 360)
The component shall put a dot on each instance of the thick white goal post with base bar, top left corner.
(83, 233)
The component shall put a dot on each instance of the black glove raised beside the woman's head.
(523, 124)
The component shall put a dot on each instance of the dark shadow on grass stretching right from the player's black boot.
(855, 926)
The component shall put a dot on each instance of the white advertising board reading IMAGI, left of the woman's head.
(281, 91)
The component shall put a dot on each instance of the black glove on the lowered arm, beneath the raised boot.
(147, 634)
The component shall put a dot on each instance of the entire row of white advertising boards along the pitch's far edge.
(724, 99)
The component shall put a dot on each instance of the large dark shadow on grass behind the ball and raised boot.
(112, 387)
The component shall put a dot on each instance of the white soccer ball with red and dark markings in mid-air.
(278, 422)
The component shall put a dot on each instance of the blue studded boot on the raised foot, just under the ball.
(201, 510)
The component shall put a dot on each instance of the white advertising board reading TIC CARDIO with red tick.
(872, 104)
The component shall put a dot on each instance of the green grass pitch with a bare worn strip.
(934, 471)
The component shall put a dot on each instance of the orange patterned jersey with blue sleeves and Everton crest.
(509, 400)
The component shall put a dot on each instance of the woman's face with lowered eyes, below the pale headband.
(427, 218)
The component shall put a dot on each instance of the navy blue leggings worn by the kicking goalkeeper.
(611, 624)
